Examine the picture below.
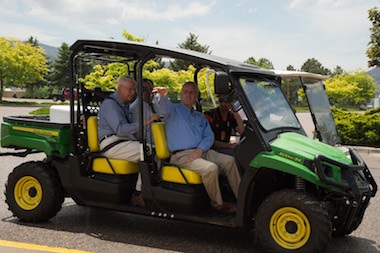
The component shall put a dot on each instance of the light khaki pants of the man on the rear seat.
(127, 150)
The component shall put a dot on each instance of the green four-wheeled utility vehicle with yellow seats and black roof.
(295, 192)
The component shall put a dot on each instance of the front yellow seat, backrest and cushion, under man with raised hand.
(171, 173)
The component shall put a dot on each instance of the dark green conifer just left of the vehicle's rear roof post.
(60, 76)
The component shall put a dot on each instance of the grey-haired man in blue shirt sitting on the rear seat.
(114, 123)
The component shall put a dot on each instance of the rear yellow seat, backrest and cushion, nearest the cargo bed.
(102, 165)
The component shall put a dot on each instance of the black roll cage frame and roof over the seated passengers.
(141, 53)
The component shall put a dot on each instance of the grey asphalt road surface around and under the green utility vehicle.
(99, 230)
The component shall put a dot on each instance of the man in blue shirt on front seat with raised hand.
(189, 138)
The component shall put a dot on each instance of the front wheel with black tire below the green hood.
(293, 221)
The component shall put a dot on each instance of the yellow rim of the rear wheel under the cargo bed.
(28, 193)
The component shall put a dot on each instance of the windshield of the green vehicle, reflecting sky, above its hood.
(269, 104)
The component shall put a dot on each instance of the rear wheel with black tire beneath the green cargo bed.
(33, 192)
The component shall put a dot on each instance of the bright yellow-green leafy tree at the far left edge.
(20, 63)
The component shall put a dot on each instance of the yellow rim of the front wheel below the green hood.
(290, 228)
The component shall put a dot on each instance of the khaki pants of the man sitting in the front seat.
(209, 166)
